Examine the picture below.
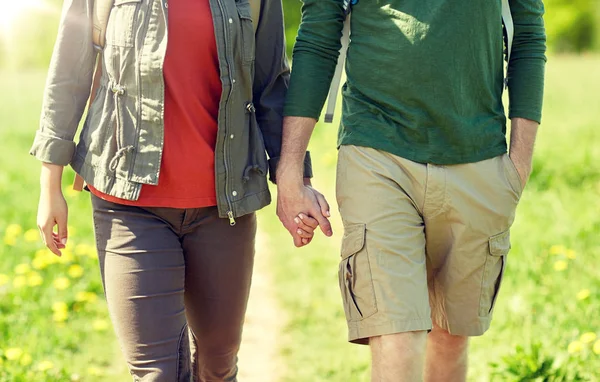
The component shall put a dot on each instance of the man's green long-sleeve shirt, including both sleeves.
(424, 77)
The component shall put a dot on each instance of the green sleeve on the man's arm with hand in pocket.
(527, 61)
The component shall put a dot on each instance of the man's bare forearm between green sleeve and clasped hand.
(296, 135)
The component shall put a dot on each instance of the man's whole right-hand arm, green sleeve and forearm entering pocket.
(526, 81)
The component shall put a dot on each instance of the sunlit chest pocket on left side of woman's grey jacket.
(120, 28)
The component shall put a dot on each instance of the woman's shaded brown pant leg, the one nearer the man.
(219, 260)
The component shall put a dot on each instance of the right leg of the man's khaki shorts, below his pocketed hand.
(468, 243)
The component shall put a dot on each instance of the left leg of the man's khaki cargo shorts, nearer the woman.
(382, 273)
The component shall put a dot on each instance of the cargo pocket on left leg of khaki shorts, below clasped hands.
(356, 280)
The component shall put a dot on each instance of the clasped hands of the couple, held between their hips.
(298, 207)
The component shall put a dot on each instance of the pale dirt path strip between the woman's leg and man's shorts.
(259, 357)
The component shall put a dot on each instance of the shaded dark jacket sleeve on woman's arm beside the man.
(271, 80)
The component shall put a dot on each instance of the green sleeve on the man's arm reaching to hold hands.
(315, 57)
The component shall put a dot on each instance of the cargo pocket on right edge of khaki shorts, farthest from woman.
(493, 272)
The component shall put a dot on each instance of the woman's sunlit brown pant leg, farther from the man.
(143, 274)
